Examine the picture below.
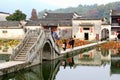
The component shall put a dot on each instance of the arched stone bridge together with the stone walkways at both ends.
(37, 45)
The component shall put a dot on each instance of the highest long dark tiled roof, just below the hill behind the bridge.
(58, 16)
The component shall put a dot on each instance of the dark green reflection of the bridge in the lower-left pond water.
(46, 71)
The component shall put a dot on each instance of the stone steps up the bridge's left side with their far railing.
(21, 52)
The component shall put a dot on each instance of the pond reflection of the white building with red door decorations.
(88, 58)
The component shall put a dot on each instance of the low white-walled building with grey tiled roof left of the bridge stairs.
(11, 30)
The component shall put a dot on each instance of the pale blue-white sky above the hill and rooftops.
(26, 6)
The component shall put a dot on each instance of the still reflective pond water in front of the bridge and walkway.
(92, 65)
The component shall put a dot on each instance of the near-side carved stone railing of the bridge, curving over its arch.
(40, 43)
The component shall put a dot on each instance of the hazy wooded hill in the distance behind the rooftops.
(89, 11)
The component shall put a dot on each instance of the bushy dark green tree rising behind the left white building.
(17, 16)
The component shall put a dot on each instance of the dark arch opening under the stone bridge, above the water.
(47, 51)
